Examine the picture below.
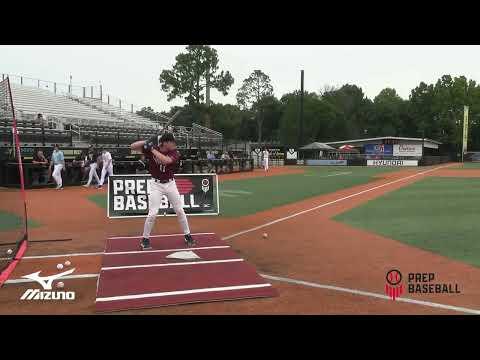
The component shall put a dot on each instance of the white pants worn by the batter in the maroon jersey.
(157, 191)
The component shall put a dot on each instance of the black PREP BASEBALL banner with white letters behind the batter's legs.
(128, 195)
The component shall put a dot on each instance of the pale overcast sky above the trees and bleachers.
(131, 72)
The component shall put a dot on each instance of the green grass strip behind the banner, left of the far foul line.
(248, 196)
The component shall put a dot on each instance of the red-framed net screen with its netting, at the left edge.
(13, 215)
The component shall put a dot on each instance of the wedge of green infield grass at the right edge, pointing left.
(434, 214)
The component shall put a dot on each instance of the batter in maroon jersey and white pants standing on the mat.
(163, 156)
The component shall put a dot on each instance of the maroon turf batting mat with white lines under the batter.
(134, 279)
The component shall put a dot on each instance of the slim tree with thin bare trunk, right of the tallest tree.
(253, 96)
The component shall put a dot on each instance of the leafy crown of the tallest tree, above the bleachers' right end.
(193, 72)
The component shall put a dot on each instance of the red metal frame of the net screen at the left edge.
(10, 258)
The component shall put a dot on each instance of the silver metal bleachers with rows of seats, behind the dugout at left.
(73, 120)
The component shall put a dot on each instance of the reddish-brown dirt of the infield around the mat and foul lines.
(303, 244)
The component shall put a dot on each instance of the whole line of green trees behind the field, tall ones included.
(333, 113)
